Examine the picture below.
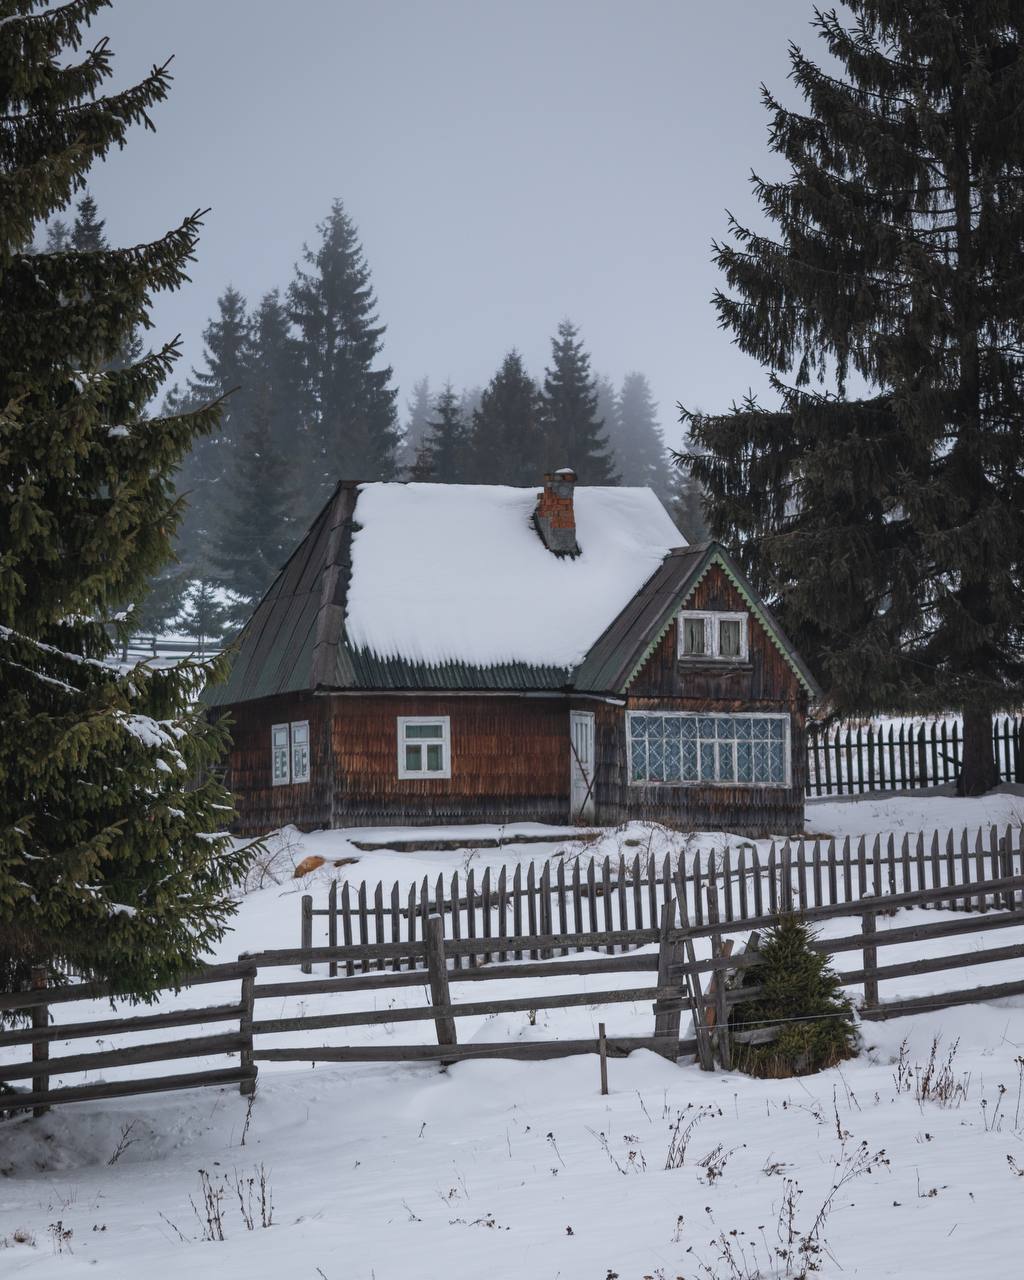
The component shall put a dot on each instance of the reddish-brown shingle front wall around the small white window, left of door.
(510, 761)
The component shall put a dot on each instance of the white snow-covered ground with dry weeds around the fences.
(524, 1171)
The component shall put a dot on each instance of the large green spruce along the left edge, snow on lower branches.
(107, 856)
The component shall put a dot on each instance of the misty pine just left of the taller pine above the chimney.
(508, 440)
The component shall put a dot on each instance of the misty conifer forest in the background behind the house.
(308, 399)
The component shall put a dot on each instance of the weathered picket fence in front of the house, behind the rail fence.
(497, 911)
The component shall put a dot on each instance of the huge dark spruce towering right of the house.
(888, 531)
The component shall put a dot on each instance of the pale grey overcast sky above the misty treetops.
(509, 164)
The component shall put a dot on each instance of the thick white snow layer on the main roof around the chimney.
(446, 574)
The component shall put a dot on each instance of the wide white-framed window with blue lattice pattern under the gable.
(680, 748)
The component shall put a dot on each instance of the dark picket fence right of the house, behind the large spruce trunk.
(851, 761)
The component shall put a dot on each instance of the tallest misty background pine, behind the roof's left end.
(350, 403)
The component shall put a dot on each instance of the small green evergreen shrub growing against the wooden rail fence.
(803, 996)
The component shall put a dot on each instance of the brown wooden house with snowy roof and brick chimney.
(477, 653)
